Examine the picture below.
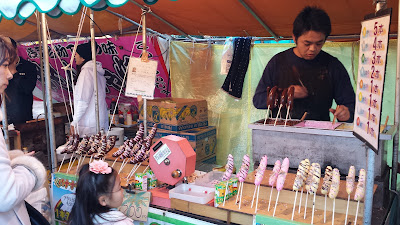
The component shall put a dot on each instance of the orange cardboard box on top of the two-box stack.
(175, 114)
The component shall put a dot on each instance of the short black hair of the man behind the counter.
(312, 18)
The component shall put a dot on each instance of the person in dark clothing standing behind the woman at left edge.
(19, 97)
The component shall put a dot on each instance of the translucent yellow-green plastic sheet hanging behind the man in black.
(195, 73)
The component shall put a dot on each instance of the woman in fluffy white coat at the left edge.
(19, 174)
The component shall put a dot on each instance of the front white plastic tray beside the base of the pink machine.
(192, 193)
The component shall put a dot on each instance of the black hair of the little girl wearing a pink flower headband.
(90, 187)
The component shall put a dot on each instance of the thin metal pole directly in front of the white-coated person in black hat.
(96, 93)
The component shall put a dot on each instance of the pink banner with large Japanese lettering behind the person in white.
(114, 55)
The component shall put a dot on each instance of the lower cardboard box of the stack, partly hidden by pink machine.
(203, 140)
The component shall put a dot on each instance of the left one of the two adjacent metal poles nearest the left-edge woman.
(39, 21)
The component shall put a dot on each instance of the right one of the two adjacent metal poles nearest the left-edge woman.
(48, 94)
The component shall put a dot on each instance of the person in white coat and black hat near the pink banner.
(84, 119)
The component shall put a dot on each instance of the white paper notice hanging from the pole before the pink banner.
(141, 78)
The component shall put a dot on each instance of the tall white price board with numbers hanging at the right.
(371, 76)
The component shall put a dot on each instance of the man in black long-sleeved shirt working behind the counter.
(317, 77)
